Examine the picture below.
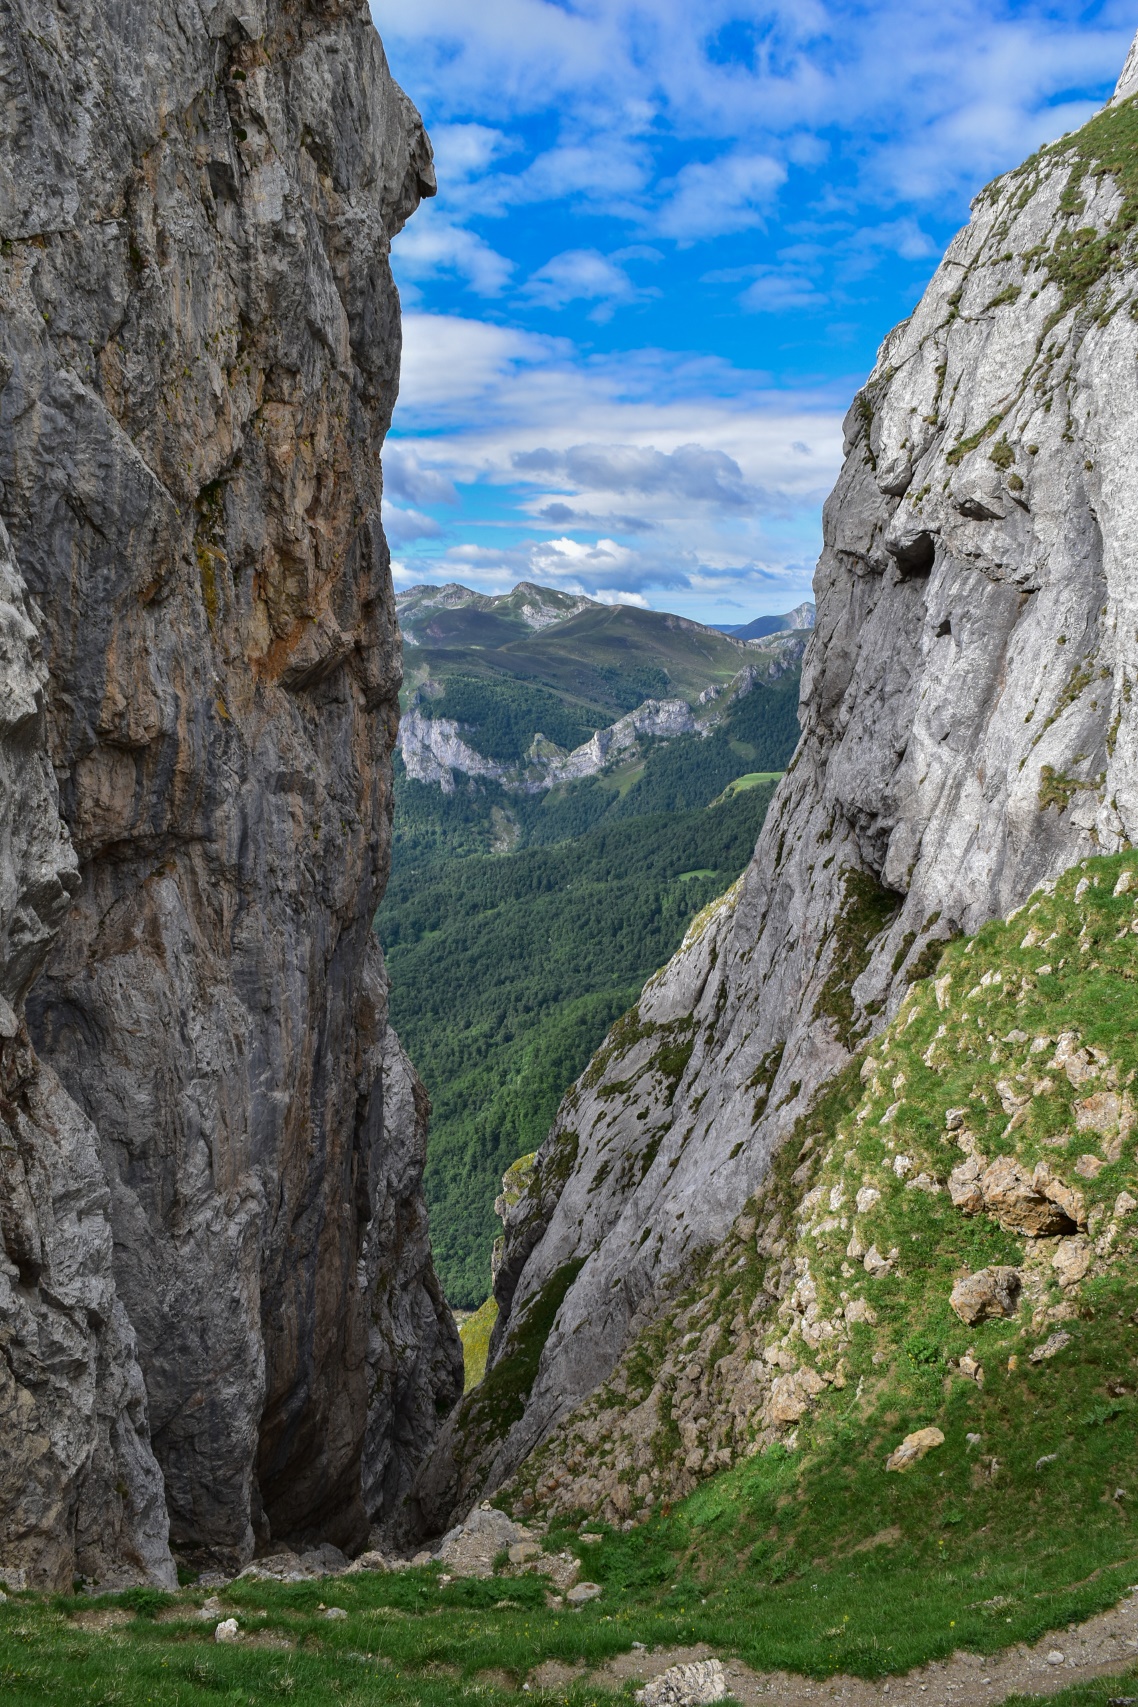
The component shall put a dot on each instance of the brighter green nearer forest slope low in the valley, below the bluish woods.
(508, 972)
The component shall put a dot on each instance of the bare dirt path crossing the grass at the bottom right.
(1100, 1648)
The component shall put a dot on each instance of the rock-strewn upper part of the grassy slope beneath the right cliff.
(948, 1244)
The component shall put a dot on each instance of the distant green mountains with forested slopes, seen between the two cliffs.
(520, 926)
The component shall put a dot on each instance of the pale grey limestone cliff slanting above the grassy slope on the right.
(968, 730)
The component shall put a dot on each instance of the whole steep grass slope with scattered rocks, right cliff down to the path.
(808, 1553)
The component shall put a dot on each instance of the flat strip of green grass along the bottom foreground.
(412, 1640)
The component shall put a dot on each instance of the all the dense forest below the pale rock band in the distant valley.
(520, 928)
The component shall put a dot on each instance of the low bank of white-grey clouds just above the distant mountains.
(685, 481)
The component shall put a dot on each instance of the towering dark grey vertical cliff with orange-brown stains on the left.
(200, 351)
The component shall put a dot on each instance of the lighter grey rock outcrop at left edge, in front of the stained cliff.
(81, 1493)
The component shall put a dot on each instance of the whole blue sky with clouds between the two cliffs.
(668, 240)
